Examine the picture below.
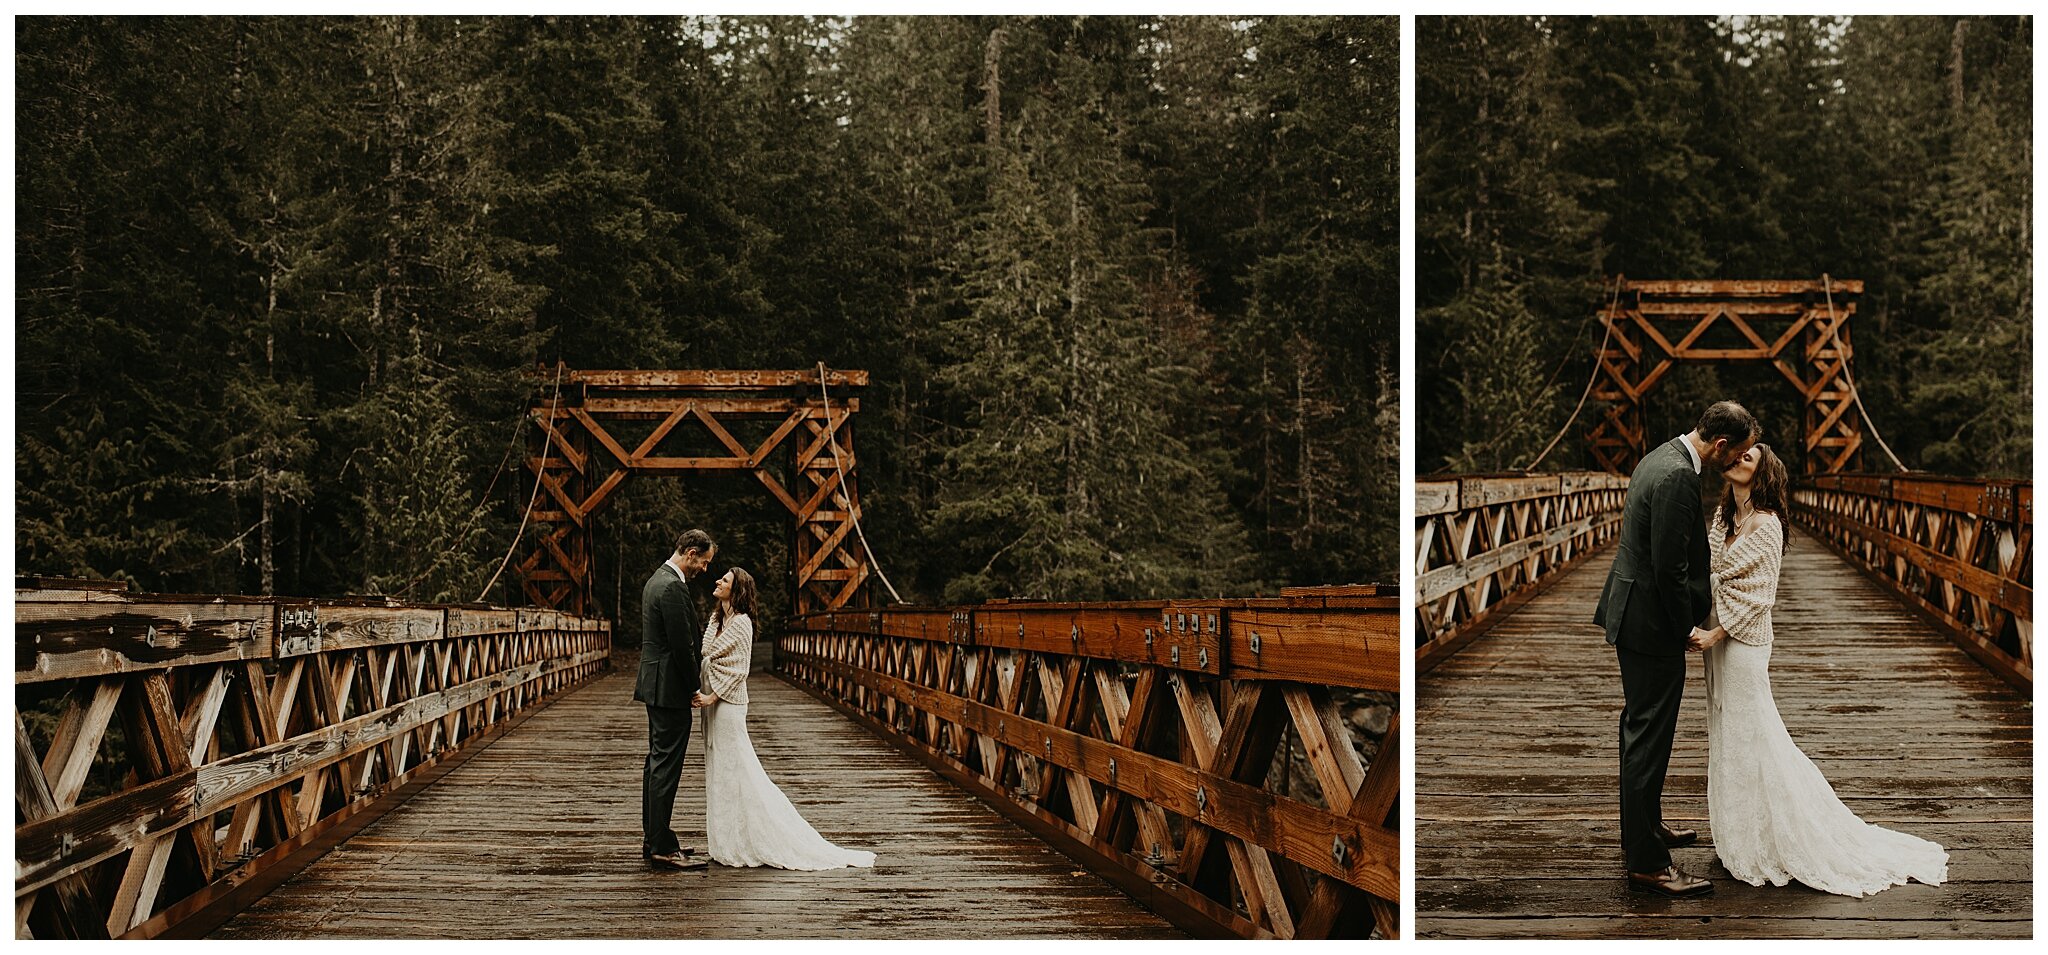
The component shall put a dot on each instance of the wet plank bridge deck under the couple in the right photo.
(1517, 774)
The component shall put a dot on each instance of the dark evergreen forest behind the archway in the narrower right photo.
(1555, 155)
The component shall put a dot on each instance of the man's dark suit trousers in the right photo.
(1652, 694)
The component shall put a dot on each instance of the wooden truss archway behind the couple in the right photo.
(1791, 325)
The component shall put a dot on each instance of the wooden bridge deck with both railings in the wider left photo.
(275, 767)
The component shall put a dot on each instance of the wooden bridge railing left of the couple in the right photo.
(1488, 544)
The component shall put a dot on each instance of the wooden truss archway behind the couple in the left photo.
(581, 460)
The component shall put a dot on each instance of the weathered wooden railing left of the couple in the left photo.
(173, 747)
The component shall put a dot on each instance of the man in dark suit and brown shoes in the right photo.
(1652, 606)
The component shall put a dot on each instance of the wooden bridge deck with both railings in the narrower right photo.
(1904, 669)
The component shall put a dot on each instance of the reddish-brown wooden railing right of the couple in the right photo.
(1959, 550)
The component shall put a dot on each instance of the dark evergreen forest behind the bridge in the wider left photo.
(1127, 290)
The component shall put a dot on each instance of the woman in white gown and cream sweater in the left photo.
(746, 819)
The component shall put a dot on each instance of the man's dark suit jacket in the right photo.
(1658, 587)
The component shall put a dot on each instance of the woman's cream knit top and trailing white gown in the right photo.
(1770, 811)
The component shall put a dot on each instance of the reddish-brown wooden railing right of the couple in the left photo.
(1142, 737)
